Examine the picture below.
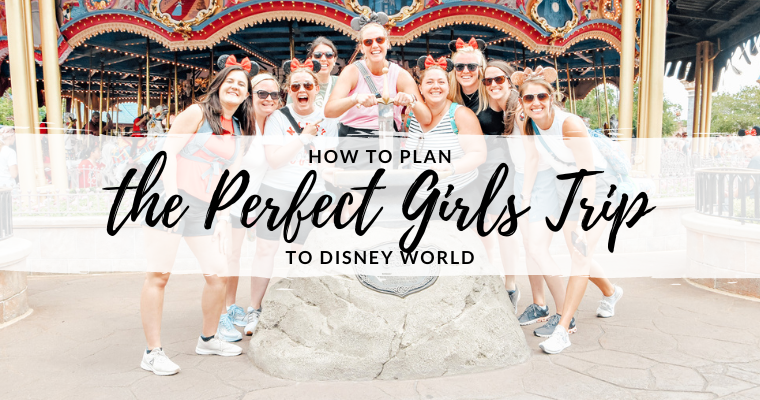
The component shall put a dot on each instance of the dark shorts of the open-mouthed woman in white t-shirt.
(282, 199)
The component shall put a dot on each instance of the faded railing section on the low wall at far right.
(730, 193)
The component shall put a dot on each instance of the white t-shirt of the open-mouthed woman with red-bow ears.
(278, 131)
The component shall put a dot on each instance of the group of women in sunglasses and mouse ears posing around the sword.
(451, 96)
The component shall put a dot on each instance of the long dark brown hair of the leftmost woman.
(212, 107)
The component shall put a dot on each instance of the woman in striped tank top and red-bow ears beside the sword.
(463, 139)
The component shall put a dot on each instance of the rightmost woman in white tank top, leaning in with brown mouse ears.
(563, 140)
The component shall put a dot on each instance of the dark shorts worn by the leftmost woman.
(192, 222)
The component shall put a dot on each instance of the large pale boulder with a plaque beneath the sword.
(331, 327)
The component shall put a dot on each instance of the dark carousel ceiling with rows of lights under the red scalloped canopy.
(123, 55)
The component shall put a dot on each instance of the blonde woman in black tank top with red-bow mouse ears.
(468, 89)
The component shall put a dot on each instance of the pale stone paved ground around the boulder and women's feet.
(669, 340)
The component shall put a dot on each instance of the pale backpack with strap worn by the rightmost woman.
(611, 151)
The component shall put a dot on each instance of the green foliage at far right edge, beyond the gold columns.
(731, 112)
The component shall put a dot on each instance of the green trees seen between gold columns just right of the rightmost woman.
(587, 108)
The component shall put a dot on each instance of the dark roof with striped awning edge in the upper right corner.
(730, 24)
